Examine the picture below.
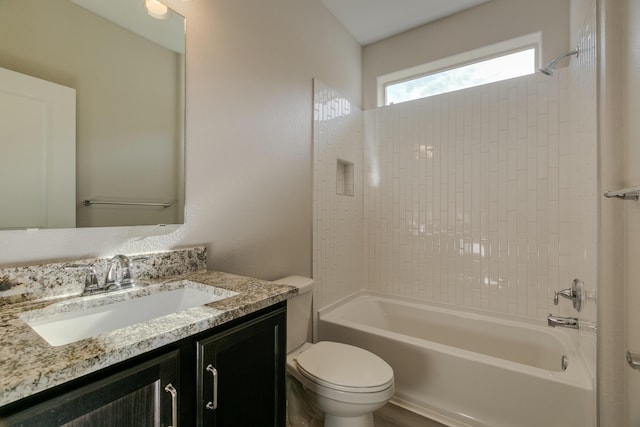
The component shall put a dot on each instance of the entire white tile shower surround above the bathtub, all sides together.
(484, 198)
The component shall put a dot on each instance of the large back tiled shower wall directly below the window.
(462, 196)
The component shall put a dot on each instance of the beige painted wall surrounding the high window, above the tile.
(489, 23)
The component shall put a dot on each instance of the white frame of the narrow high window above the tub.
(496, 50)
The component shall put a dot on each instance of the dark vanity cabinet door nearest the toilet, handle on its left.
(249, 366)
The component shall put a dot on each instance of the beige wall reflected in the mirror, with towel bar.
(128, 113)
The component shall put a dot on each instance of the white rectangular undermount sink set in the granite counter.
(91, 316)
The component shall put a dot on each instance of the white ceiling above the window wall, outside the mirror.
(373, 20)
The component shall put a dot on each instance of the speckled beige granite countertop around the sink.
(28, 364)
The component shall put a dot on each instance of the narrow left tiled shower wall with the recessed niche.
(337, 218)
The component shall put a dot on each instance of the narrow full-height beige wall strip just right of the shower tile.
(611, 292)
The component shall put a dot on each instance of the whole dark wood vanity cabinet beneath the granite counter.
(174, 386)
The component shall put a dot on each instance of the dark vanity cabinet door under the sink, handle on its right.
(133, 397)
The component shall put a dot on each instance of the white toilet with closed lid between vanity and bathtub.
(341, 382)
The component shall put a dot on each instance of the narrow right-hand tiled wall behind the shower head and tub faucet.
(582, 241)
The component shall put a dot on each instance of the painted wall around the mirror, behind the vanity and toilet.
(250, 66)
